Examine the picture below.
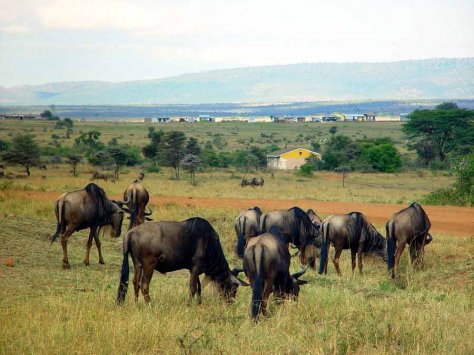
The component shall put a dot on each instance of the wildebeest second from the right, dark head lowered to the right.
(350, 231)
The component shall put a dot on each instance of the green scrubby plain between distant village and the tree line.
(235, 134)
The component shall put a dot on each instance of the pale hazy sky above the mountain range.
(115, 40)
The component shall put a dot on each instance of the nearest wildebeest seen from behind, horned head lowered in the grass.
(267, 264)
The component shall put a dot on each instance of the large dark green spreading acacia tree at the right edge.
(444, 128)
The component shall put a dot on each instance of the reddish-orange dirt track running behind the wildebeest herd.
(451, 220)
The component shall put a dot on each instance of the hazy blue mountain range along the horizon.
(402, 80)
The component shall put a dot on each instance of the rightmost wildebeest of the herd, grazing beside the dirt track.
(408, 226)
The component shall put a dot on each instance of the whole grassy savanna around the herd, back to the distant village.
(45, 309)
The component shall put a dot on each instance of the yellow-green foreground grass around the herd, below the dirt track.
(44, 309)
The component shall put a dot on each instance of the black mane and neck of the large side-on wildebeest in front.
(216, 265)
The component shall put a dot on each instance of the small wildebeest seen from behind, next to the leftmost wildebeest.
(137, 197)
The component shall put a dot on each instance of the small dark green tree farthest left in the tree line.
(24, 152)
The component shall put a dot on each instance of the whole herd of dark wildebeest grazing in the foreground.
(263, 241)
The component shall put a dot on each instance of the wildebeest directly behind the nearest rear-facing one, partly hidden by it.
(296, 226)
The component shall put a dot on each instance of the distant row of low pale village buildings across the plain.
(336, 117)
